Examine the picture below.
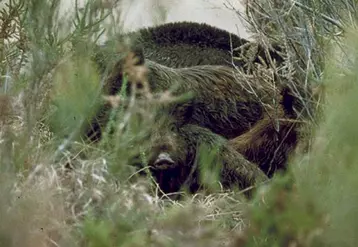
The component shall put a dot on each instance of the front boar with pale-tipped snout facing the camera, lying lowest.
(173, 159)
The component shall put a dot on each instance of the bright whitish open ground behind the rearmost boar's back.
(143, 13)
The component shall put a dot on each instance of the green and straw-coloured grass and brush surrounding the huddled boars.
(57, 190)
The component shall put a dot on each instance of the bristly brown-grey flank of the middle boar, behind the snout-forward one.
(222, 100)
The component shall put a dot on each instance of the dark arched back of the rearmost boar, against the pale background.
(185, 44)
